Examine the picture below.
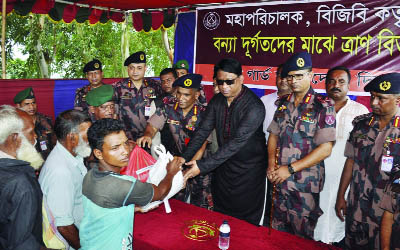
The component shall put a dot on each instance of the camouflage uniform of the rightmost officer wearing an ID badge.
(365, 146)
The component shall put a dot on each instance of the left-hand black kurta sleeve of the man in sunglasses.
(205, 128)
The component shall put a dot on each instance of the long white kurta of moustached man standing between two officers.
(329, 227)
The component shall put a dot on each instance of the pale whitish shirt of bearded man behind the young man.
(61, 182)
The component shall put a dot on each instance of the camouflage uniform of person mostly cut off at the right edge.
(391, 203)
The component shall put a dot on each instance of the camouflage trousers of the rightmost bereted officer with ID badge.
(360, 235)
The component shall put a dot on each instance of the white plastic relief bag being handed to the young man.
(157, 173)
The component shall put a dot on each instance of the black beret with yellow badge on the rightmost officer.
(385, 84)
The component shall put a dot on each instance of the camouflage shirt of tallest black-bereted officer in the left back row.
(132, 102)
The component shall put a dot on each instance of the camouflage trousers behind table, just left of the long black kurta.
(199, 190)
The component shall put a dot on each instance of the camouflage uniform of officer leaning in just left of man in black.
(182, 130)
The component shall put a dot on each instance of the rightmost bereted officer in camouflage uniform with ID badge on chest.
(371, 151)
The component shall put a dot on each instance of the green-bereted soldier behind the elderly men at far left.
(46, 138)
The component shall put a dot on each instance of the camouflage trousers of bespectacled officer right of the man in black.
(296, 213)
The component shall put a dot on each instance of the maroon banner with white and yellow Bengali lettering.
(361, 35)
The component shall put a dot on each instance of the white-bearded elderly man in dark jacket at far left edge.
(20, 194)
